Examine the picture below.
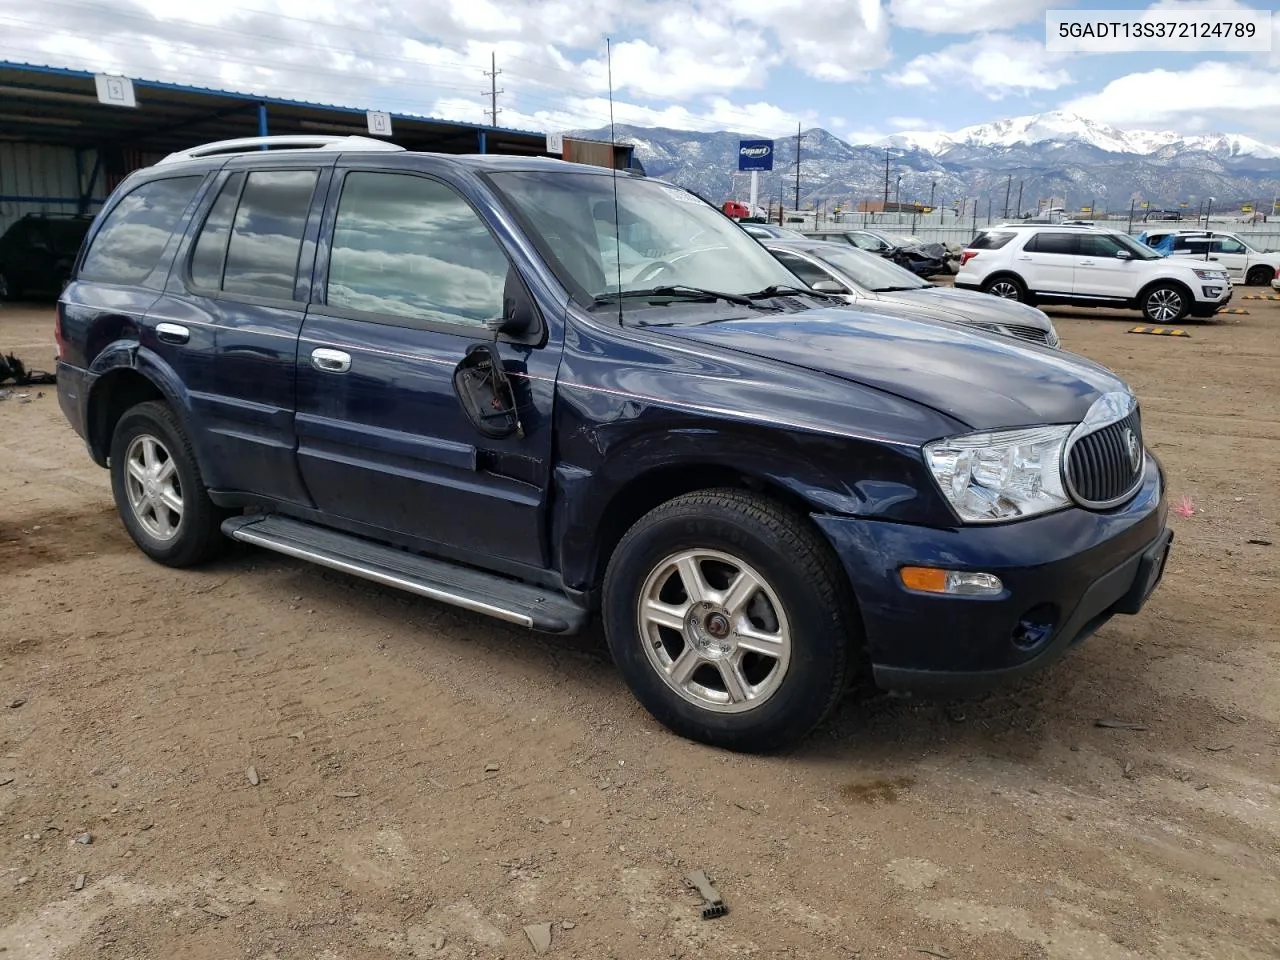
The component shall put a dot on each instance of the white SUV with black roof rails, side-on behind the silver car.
(1089, 267)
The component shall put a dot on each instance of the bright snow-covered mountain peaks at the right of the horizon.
(1062, 127)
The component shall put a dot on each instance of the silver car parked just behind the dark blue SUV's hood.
(867, 280)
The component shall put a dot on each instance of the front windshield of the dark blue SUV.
(669, 237)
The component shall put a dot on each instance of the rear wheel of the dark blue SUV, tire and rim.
(159, 492)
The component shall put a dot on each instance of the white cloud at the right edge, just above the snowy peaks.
(1210, 97)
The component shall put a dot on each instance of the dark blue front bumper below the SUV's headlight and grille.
(1064, 577)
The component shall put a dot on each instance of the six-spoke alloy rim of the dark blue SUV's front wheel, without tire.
(715, 630)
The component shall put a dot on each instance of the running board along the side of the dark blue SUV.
(470, 589)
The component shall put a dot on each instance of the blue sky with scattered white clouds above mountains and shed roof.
(860, 68)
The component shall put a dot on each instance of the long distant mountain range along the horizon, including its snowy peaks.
(1063, 157)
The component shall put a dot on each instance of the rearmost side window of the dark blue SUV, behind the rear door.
(131, 241)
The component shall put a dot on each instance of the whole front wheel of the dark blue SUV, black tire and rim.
(730, 620)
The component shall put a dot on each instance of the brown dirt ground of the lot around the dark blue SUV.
(432, 781)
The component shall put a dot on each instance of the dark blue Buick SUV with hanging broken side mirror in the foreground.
(543, 391)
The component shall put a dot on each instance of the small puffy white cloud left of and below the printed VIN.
(995, 66)
